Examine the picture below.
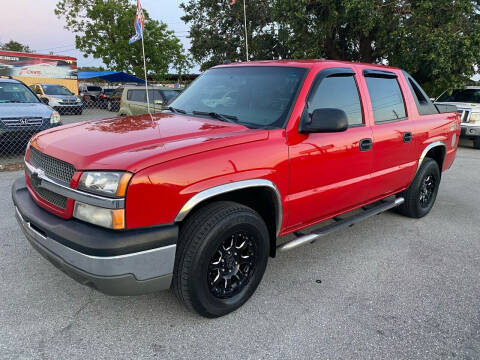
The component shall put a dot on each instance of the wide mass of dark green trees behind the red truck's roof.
(436, 41)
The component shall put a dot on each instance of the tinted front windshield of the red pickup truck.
(258, 96)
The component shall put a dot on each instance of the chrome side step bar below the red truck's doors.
(340, 224)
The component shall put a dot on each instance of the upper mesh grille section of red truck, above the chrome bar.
(54, 168)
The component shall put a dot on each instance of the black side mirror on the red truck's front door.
(325, 120)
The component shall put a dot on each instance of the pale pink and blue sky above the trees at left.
(33, 23)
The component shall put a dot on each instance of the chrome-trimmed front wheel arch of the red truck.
(259, 194)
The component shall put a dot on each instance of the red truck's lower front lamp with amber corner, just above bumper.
(112, 219)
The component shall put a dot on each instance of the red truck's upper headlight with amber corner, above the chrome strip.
(109, 183)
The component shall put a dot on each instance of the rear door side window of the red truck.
(387, 100)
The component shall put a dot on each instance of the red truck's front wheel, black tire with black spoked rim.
(201, 280)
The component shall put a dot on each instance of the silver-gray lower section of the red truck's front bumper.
(127, 274)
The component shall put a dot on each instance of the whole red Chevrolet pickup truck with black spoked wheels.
(195, 198)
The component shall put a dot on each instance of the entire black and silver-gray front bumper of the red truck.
(102, 259)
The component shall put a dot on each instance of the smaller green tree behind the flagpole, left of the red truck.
(103, 28)
